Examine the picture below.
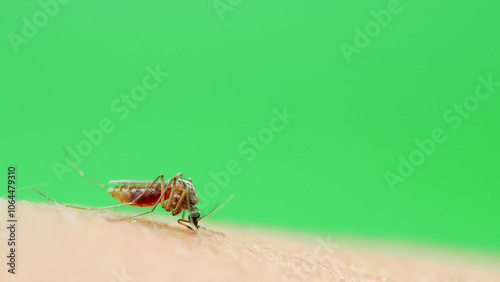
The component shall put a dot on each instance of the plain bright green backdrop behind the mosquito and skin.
(325, 171)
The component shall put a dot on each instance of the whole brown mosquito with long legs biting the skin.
(174, 195)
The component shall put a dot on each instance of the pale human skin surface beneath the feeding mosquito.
(62, 244)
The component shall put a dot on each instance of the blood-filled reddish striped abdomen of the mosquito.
(127, 193)
